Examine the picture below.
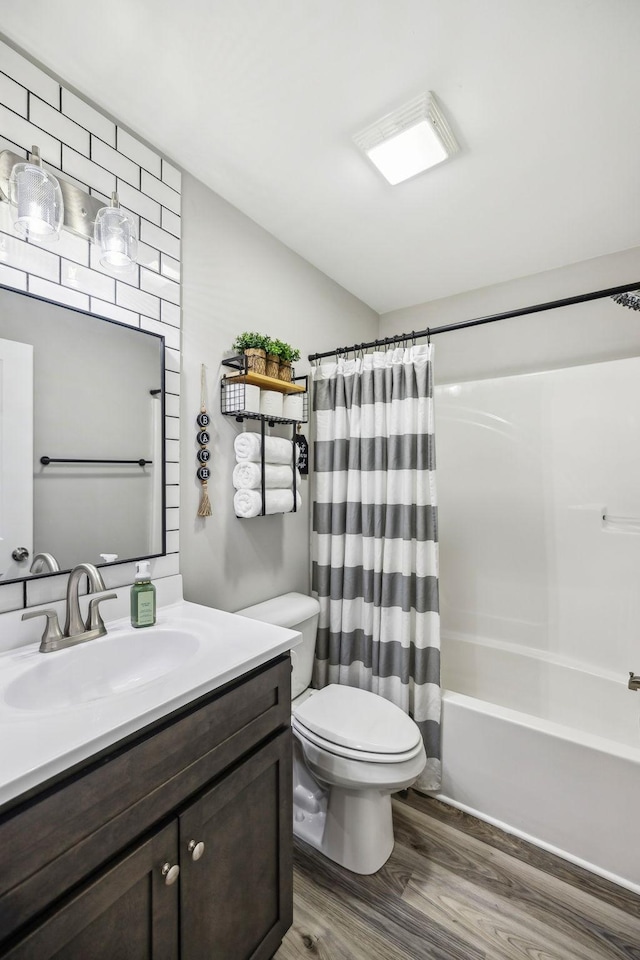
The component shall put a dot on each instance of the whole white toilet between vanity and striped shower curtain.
(351, 750)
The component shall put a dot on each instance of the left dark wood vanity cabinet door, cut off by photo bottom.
(128, 912)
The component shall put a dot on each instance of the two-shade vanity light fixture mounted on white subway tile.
(43, 204)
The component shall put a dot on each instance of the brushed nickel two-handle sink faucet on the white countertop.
(76, 630)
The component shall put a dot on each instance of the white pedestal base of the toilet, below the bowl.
(351, 827)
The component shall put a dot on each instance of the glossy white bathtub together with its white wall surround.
(541, 607)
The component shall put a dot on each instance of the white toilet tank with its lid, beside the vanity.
(296, 612)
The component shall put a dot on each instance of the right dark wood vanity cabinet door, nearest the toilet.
(236, 898)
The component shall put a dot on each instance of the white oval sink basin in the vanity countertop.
(96, 669)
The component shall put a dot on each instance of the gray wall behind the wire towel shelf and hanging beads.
(238, 277)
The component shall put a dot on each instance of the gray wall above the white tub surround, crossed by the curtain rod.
(555, 338)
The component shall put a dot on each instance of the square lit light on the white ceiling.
(409, 140)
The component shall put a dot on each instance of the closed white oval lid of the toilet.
(358, 720)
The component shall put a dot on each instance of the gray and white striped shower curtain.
(374, 537)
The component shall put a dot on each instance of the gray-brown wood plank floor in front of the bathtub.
(456, 888)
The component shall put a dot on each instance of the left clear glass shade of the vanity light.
(36, 202)
